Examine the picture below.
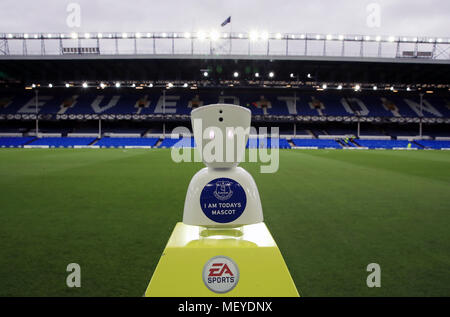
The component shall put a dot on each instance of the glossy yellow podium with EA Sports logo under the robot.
(236, 262)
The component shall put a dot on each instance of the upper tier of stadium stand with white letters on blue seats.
(124, 105)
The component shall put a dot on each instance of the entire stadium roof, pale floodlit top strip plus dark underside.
(292, 60)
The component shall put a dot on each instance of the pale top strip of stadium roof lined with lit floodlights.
(438, 49)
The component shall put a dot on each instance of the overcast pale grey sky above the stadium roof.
(398, 17)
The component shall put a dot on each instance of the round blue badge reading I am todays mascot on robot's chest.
(223, 200)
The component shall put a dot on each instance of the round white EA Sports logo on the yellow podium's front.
(220, 274)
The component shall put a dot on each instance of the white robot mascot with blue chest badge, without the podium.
(222, 194)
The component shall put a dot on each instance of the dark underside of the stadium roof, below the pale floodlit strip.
(294, 72)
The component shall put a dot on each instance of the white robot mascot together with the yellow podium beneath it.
(222, 247)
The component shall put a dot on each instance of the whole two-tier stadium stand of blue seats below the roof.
(134, 119)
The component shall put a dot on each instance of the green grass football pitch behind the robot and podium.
(332, 212)
